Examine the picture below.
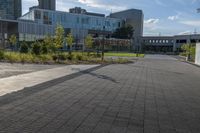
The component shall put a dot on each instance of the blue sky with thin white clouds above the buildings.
(165, 17)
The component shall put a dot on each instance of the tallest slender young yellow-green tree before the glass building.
(59, 36)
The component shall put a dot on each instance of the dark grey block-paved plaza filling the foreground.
(157, 94)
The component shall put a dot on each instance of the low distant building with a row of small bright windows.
(160, 44)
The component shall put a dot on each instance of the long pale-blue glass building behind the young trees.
(38, 23)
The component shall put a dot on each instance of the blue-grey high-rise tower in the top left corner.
(10, 9)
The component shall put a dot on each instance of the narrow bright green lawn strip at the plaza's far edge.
(124, 54)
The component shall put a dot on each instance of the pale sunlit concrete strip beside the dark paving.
(19, 82)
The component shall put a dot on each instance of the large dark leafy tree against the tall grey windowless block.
(125, 32)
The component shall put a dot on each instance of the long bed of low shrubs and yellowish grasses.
(61, 58)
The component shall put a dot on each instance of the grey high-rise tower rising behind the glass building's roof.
(47, 4)
